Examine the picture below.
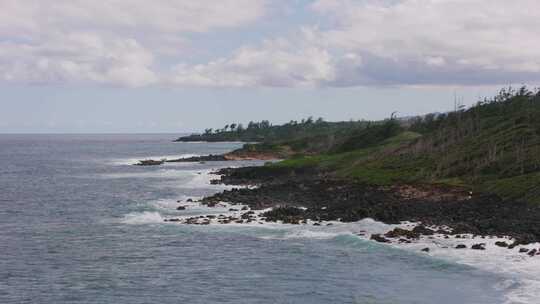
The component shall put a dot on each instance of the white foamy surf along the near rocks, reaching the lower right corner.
(522, 285)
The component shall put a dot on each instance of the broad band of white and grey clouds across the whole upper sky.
(354, 43)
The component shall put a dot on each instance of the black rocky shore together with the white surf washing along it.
(321, 208)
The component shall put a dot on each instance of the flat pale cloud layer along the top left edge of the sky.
(157, 15)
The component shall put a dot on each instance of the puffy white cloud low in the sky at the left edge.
(78, 57)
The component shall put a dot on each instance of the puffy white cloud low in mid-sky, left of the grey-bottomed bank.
(276, 63)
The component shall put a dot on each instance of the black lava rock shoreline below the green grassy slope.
(300, 197)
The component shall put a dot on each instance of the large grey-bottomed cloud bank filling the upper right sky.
(436, 41)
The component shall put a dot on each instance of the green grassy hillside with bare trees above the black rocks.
(493, 147)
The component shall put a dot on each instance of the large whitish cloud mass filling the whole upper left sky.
(114, 42)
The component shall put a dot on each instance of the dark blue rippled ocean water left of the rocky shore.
(78, 224)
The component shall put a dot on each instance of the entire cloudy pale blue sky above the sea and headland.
(138, 66)
